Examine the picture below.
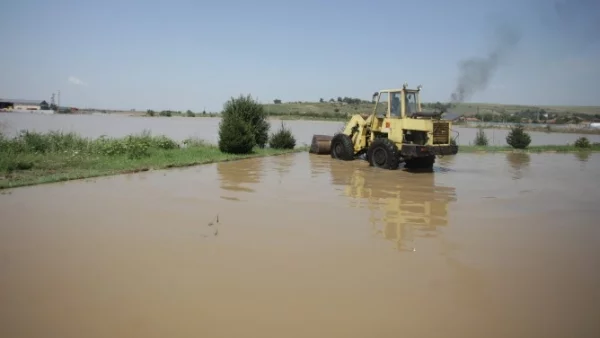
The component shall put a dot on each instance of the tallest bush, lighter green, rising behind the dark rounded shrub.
(252, 114)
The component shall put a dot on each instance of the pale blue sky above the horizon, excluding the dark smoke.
(196, 54)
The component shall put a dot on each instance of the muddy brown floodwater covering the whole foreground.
(497, 245)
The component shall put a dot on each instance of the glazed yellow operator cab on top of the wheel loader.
(397, 103)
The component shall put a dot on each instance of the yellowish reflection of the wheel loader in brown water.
(401, 209)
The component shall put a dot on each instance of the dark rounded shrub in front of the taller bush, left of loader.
(235, 135)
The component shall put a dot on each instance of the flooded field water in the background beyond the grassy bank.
(180, 128)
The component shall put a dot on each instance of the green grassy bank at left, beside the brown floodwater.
(34, 158)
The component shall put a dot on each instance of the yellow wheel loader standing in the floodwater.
(397, 131)
